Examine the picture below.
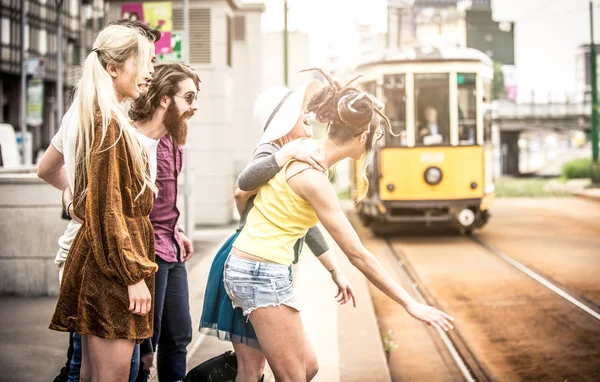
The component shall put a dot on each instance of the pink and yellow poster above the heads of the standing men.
(157, 16)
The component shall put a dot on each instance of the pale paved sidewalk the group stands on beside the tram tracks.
(348, 345)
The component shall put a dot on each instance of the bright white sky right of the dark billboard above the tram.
(549, 38)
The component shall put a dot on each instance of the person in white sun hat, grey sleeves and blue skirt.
(283, 116)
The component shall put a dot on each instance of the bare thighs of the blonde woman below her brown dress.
(109, 360)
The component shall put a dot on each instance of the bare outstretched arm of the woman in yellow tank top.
(315, 188)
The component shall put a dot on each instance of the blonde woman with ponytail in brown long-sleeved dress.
(108, 282)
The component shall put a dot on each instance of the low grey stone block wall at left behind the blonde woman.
(30, 226)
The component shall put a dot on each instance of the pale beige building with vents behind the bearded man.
(217, 144)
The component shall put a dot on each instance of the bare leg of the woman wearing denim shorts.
(281, 336)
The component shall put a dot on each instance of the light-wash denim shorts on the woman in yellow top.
(255, 284)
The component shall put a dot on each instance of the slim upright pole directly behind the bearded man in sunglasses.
(187, 184)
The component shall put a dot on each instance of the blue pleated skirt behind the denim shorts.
(219, 318)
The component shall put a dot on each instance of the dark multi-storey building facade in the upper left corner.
(80, 21)
